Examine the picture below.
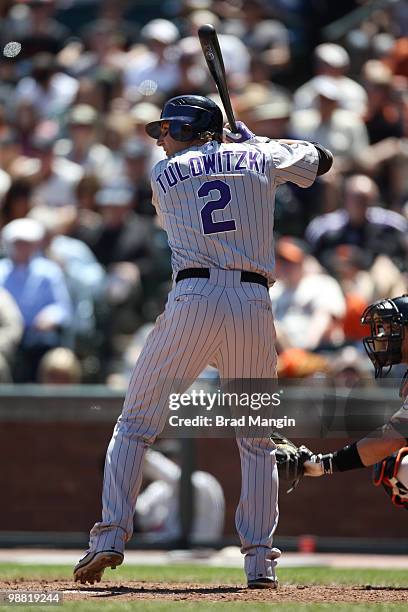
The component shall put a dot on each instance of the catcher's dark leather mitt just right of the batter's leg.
(290, 459)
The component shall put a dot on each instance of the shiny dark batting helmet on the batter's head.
(189, 117)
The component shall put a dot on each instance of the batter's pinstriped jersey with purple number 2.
(216, 201)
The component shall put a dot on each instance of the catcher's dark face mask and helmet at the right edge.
(387, 319)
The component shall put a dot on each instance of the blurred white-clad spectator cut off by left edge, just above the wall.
(11, 331)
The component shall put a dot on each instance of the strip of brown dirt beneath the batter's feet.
(139, 591)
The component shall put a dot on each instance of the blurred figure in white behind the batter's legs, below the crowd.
(158, 506)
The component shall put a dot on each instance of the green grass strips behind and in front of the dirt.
(203, 575)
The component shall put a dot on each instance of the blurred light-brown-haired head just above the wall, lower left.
(59, 366)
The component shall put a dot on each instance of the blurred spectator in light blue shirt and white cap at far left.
(38, 287)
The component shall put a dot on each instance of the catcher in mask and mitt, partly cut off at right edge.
(387, 345)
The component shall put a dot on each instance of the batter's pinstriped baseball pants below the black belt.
(218, 321)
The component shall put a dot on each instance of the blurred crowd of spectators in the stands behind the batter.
(85, 267)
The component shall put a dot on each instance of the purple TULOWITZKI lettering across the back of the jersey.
(214, 163)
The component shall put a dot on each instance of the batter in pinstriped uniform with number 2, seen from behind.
(216, 202)
